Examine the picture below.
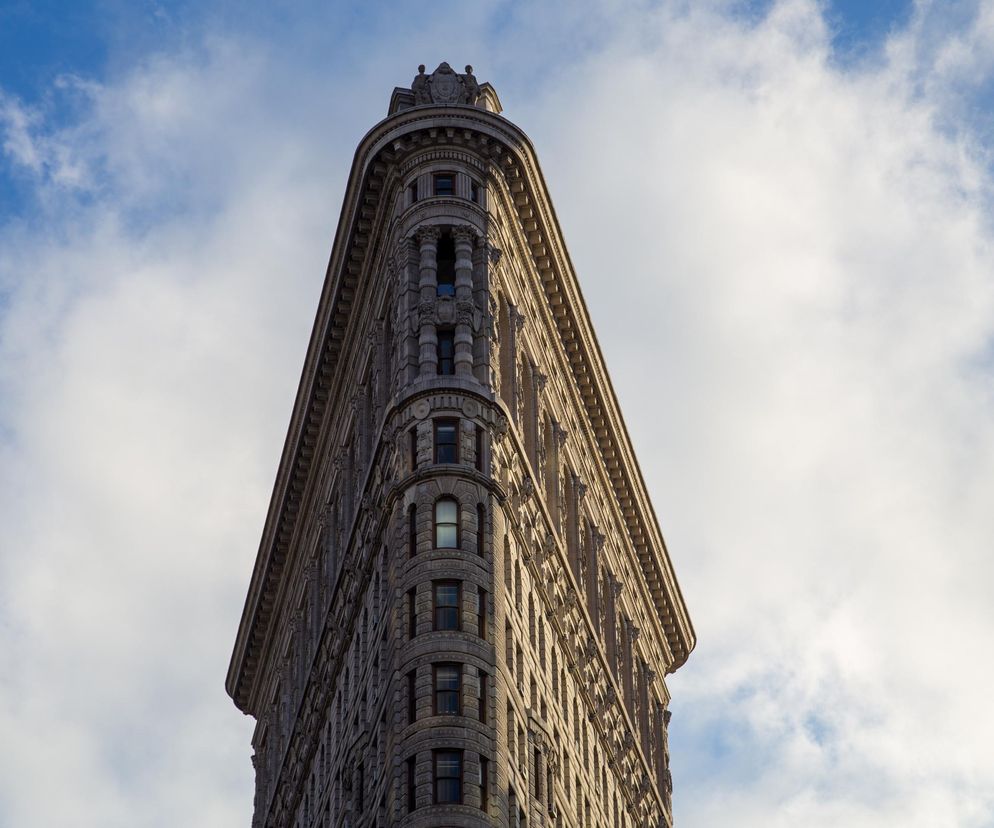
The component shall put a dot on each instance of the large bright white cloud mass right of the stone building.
(810, 297)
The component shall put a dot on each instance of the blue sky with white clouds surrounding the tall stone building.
(780, 214)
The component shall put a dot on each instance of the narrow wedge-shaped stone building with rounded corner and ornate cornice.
(462, 608)
